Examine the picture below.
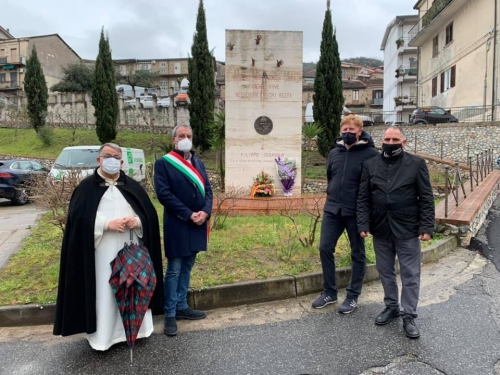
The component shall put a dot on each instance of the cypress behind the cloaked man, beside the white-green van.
(104, 96)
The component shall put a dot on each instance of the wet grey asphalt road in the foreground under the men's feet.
(459, 319)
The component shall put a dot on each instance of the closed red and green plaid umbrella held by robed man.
(133, 281)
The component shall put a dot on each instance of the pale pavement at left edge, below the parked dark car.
(15, 224)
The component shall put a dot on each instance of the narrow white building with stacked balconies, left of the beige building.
(400, 69)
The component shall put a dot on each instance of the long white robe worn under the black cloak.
(107, 244)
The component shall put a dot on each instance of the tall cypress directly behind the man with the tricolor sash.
(201, 90)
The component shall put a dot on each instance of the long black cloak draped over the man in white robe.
(76, 296)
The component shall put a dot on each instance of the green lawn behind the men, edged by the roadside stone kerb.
(246, 248)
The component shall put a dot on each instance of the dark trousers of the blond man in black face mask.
(332, 227)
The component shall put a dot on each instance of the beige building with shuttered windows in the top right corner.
(458, 52)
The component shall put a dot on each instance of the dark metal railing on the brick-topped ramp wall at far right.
(478, 167)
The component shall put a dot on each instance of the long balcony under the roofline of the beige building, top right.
(437, 17)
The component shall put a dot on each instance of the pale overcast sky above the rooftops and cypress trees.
(147, 29)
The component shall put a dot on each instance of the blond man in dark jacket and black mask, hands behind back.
(343, 172)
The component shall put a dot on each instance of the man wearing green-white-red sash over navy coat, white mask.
(183, 188)
